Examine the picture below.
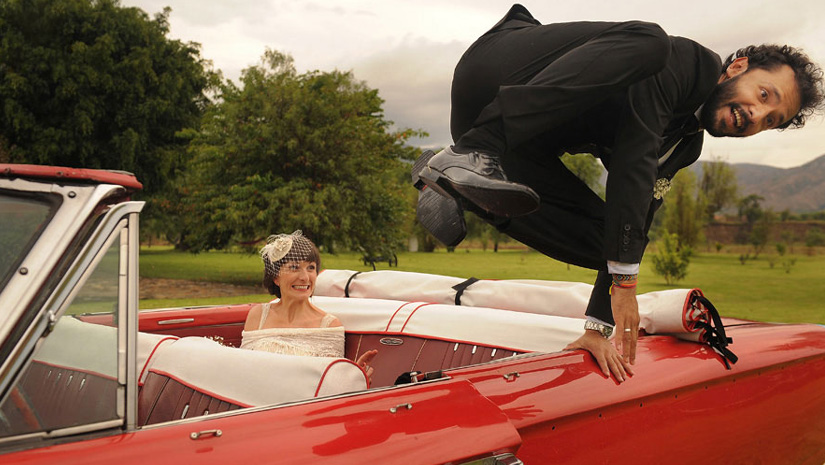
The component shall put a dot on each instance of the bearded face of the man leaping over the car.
(746, 102)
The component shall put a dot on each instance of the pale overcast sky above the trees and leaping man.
(408, 49)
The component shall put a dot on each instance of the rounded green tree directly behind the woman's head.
(296, 151)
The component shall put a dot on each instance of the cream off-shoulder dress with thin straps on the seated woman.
(324, 341)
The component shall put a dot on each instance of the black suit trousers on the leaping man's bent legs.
(519, 85)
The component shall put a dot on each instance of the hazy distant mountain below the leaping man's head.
(799, 189)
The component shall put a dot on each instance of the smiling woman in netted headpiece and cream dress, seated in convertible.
(291, 324)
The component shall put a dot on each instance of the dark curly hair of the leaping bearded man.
(808, 75)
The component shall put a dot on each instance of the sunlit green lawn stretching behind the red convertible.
(759, 289)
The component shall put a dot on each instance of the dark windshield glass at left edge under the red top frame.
(22, 220)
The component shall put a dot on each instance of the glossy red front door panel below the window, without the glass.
(448, 421)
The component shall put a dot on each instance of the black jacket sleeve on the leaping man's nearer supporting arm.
(679, 89)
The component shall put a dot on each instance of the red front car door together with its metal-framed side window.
(72, 395)
